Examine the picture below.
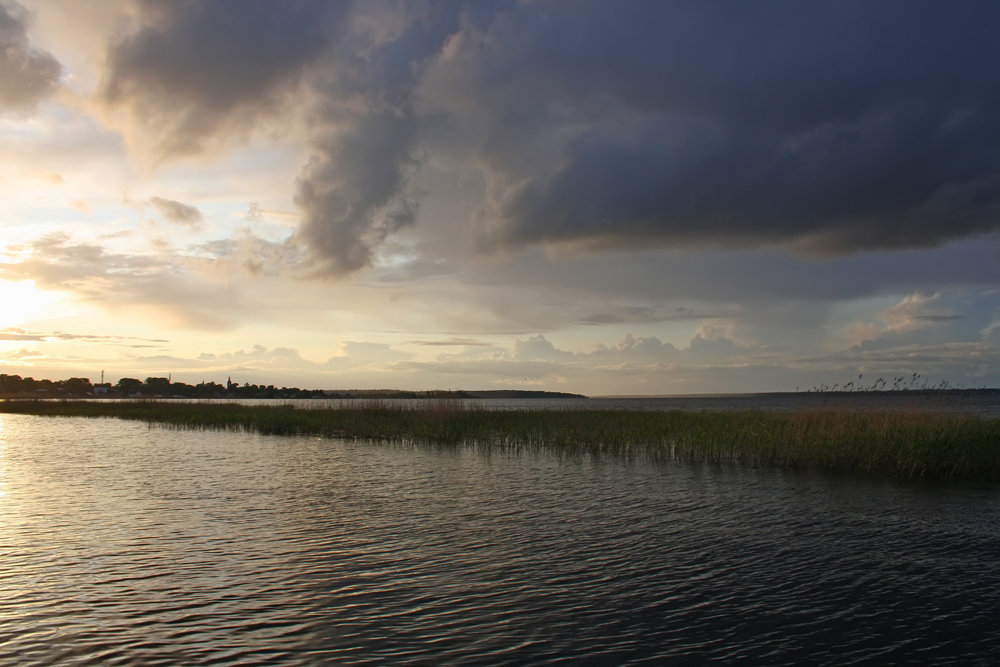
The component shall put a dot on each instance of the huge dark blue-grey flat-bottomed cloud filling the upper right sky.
(831, 128)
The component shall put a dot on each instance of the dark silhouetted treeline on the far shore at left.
(15, 386)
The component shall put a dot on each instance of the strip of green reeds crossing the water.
(914, 445)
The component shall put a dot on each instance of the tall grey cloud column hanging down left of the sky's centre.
(353, 193)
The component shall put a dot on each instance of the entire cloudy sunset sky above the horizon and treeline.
(608, 198)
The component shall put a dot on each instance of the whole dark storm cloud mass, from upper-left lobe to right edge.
(826, 129)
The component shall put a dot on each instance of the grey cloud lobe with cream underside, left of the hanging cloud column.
(191, 71)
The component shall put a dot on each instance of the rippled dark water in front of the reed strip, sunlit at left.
(121, 543)
